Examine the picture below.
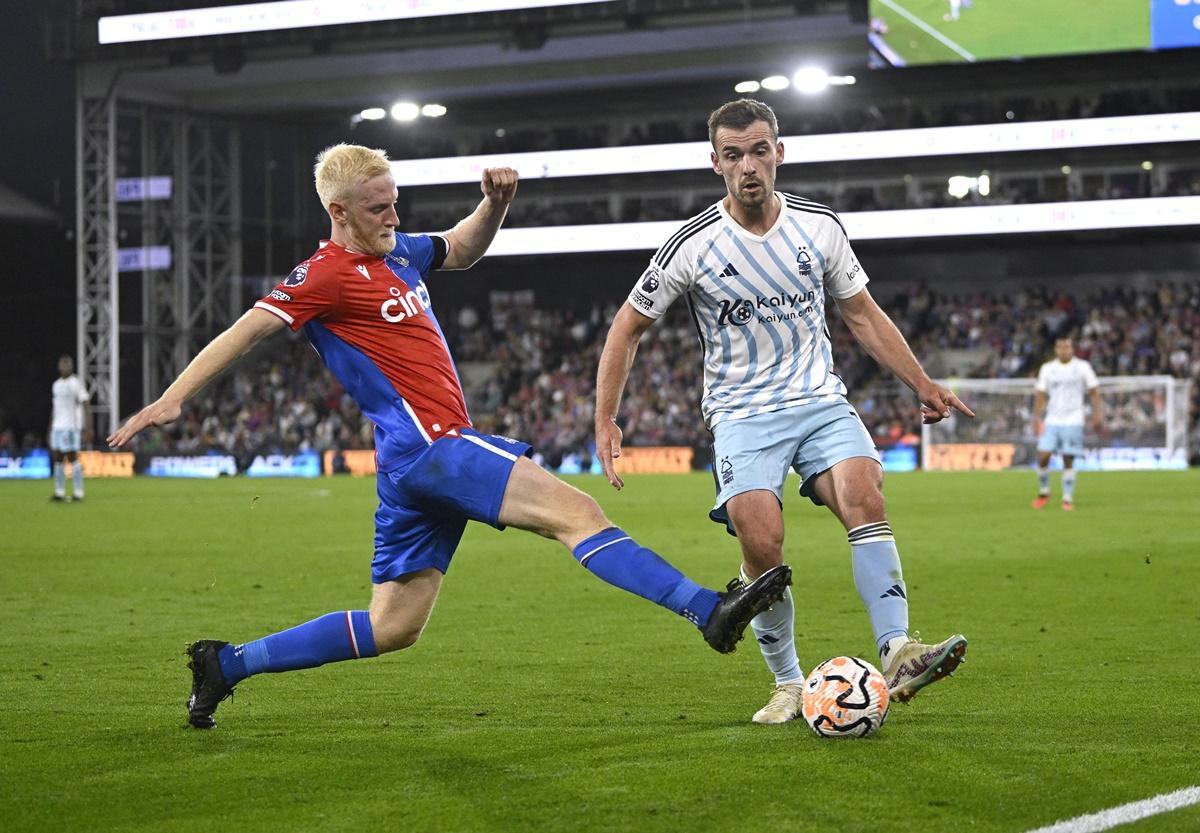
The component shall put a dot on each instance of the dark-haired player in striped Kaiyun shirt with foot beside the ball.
(757, 268)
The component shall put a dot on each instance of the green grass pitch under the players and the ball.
(541, 699)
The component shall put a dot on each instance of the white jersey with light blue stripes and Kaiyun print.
(758, 304)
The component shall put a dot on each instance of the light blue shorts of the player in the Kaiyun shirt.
(757, 452)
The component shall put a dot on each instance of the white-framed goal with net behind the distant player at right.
(1145, 427)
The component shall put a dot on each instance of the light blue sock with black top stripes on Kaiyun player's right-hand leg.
(879, 580)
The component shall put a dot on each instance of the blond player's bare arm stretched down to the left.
(221, 352)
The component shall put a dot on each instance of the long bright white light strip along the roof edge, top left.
(293, 15)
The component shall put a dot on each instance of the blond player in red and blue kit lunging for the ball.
(363, 303)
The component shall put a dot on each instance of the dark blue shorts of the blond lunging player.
(425, 506)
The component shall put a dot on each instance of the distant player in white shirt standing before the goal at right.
(1059, 395)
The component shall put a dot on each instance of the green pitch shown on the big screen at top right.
(1004, 29)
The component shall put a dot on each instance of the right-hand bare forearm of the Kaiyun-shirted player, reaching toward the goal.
(881, 339)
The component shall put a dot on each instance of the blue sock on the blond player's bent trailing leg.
(329, 639)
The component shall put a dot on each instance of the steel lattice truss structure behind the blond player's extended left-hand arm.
(182, 307)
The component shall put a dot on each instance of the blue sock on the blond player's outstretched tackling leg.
(617, 559)
